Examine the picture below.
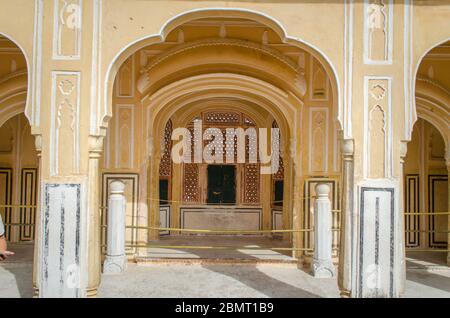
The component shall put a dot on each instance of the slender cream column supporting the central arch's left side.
(94, 235)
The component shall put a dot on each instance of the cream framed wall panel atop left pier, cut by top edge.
(67, 29)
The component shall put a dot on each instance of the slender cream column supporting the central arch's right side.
(345, 247)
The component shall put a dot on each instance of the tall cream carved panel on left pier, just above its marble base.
(65, 123)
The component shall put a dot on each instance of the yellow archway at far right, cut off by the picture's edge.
(427, 163)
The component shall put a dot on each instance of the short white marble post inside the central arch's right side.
(322, 262)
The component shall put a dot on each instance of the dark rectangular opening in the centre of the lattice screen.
(221, 184)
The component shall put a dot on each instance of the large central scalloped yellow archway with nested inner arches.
(252, 68)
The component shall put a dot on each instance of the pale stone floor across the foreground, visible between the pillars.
(427, 276)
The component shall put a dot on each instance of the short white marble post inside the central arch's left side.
(116, 259)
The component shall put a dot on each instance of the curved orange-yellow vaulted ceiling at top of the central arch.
(226, 45)
